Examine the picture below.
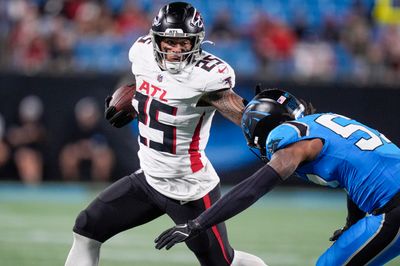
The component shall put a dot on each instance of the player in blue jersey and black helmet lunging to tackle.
(328, 149)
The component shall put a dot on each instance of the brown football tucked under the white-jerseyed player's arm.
(122, 98)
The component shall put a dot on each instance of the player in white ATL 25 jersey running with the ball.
(178, 88)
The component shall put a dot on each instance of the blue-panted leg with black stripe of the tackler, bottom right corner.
(373, 240)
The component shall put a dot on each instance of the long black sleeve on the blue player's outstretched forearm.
(240, 197)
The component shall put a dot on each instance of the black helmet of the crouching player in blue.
(267, 110)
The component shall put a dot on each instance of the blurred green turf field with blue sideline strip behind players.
(286, 227)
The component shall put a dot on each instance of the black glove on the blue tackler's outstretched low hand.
(177, 234)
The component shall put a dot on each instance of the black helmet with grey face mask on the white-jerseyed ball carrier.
(177, 20)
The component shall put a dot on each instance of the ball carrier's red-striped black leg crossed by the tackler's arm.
(212, 247)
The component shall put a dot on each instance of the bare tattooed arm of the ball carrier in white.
(227, 102)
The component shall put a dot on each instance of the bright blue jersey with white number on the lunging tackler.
(354, 157)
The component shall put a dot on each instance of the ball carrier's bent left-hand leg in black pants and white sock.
(123, 205)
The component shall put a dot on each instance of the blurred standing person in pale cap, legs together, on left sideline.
(28, 140)
